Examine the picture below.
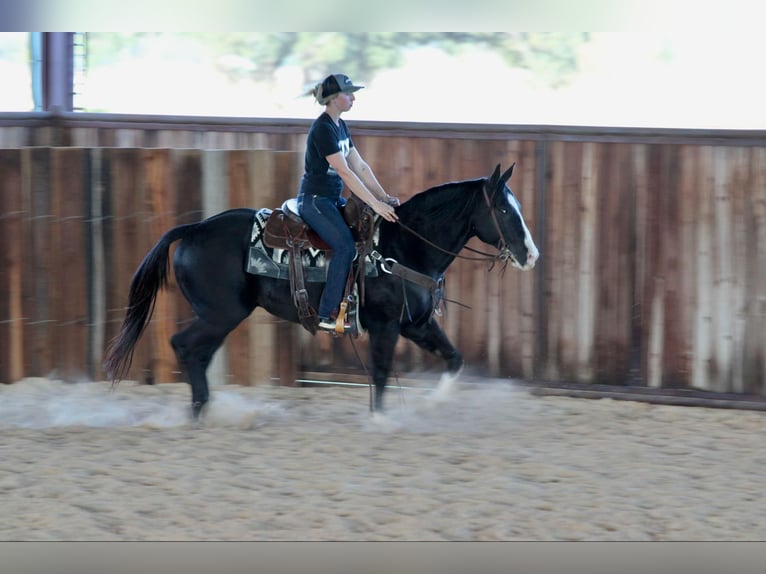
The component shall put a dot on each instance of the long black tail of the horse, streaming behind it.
(149, 278)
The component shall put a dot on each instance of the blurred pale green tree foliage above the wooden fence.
(552, 57)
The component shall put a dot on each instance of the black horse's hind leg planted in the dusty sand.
(194, 348)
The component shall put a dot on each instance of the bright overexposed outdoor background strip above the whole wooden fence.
(675, 78)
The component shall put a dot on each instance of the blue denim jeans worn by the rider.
(322, 214)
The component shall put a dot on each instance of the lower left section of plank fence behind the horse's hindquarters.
(76, 224)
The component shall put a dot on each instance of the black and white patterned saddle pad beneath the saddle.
(268, 262)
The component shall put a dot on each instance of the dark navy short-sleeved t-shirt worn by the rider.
(324, 138)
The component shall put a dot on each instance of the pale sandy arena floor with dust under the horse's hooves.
(488, 462)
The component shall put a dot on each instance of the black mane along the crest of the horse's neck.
(445, 202)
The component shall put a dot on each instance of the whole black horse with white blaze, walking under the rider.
(433, 227)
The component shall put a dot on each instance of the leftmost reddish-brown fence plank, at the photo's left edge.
(11, 267)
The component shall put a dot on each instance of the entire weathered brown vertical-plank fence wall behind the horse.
(652, 269)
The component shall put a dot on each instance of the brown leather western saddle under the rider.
(285, 229)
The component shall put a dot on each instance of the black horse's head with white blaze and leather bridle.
(499, 222)
